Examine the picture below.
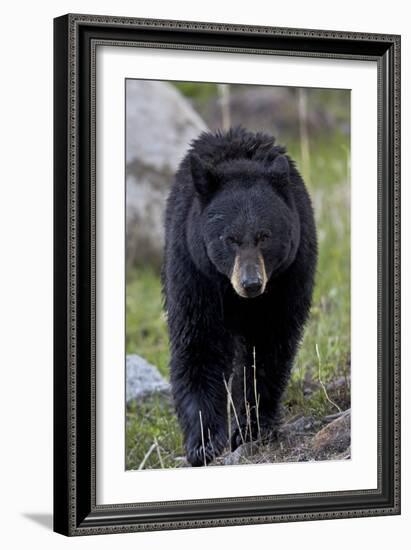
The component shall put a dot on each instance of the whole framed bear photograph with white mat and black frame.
(227, 276)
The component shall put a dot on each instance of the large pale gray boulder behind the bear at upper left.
(160, 125)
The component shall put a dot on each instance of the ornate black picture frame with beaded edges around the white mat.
(76, 38)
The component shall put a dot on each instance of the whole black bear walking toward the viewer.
(238, 275)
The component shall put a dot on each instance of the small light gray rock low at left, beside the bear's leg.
(143, 379)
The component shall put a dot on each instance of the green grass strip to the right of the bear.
(329, 324)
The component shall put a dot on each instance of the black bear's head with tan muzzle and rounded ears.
(249, 224)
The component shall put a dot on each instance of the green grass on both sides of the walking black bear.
(152, 424)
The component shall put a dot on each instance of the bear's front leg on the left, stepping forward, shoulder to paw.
(202, 352)
